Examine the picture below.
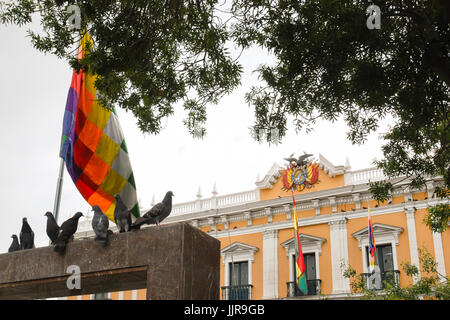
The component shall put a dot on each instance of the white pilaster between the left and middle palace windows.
(270, 264)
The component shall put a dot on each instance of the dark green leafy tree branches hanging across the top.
(150, 55)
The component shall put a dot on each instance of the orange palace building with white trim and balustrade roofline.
(255, 228)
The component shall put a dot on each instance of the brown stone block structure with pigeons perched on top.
(173, 261)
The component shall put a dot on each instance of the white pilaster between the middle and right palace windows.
(339, 255)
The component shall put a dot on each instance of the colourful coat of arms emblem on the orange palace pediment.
(300, 173)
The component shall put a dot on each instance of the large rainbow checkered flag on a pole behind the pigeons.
(93, 145)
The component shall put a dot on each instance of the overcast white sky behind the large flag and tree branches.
(33, 92)
